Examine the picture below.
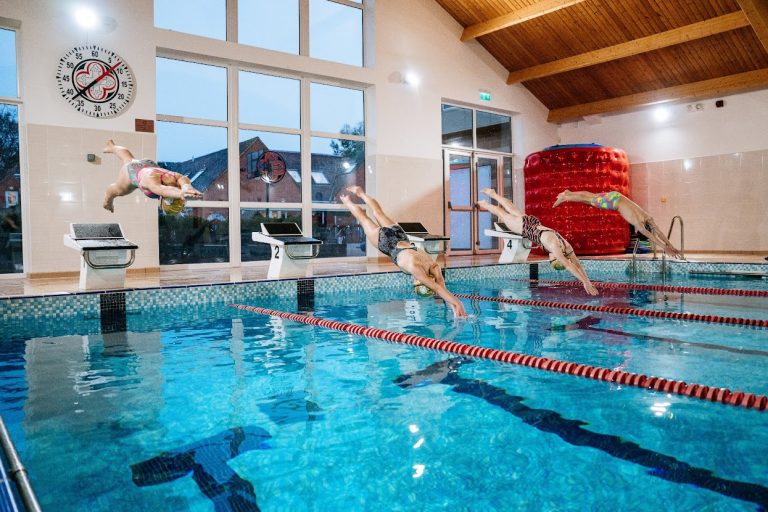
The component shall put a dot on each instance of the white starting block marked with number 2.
(291, 250)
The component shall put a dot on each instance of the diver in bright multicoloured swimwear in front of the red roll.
(628, 209)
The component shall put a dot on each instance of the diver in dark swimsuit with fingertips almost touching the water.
(392, 241)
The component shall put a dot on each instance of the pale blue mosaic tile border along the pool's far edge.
(88, 304)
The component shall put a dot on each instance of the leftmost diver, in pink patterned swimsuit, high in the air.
(146, 176)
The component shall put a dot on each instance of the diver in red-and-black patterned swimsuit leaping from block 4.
(560, 251)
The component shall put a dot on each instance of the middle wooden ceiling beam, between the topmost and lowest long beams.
(672, 37)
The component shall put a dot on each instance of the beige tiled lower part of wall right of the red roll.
(722, 199)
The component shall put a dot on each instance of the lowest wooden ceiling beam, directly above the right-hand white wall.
(740, 82)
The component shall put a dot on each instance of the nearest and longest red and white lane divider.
(712, 394)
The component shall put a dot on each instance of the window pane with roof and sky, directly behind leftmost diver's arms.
(197, 151)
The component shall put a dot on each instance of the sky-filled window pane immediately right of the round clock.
(190, 89)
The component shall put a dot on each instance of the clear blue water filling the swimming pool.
(222, 409)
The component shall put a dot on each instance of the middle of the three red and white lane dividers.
(622, 311)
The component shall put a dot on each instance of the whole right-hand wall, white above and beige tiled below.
(708, 165)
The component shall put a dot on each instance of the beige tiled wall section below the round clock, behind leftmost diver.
(65, 188)
